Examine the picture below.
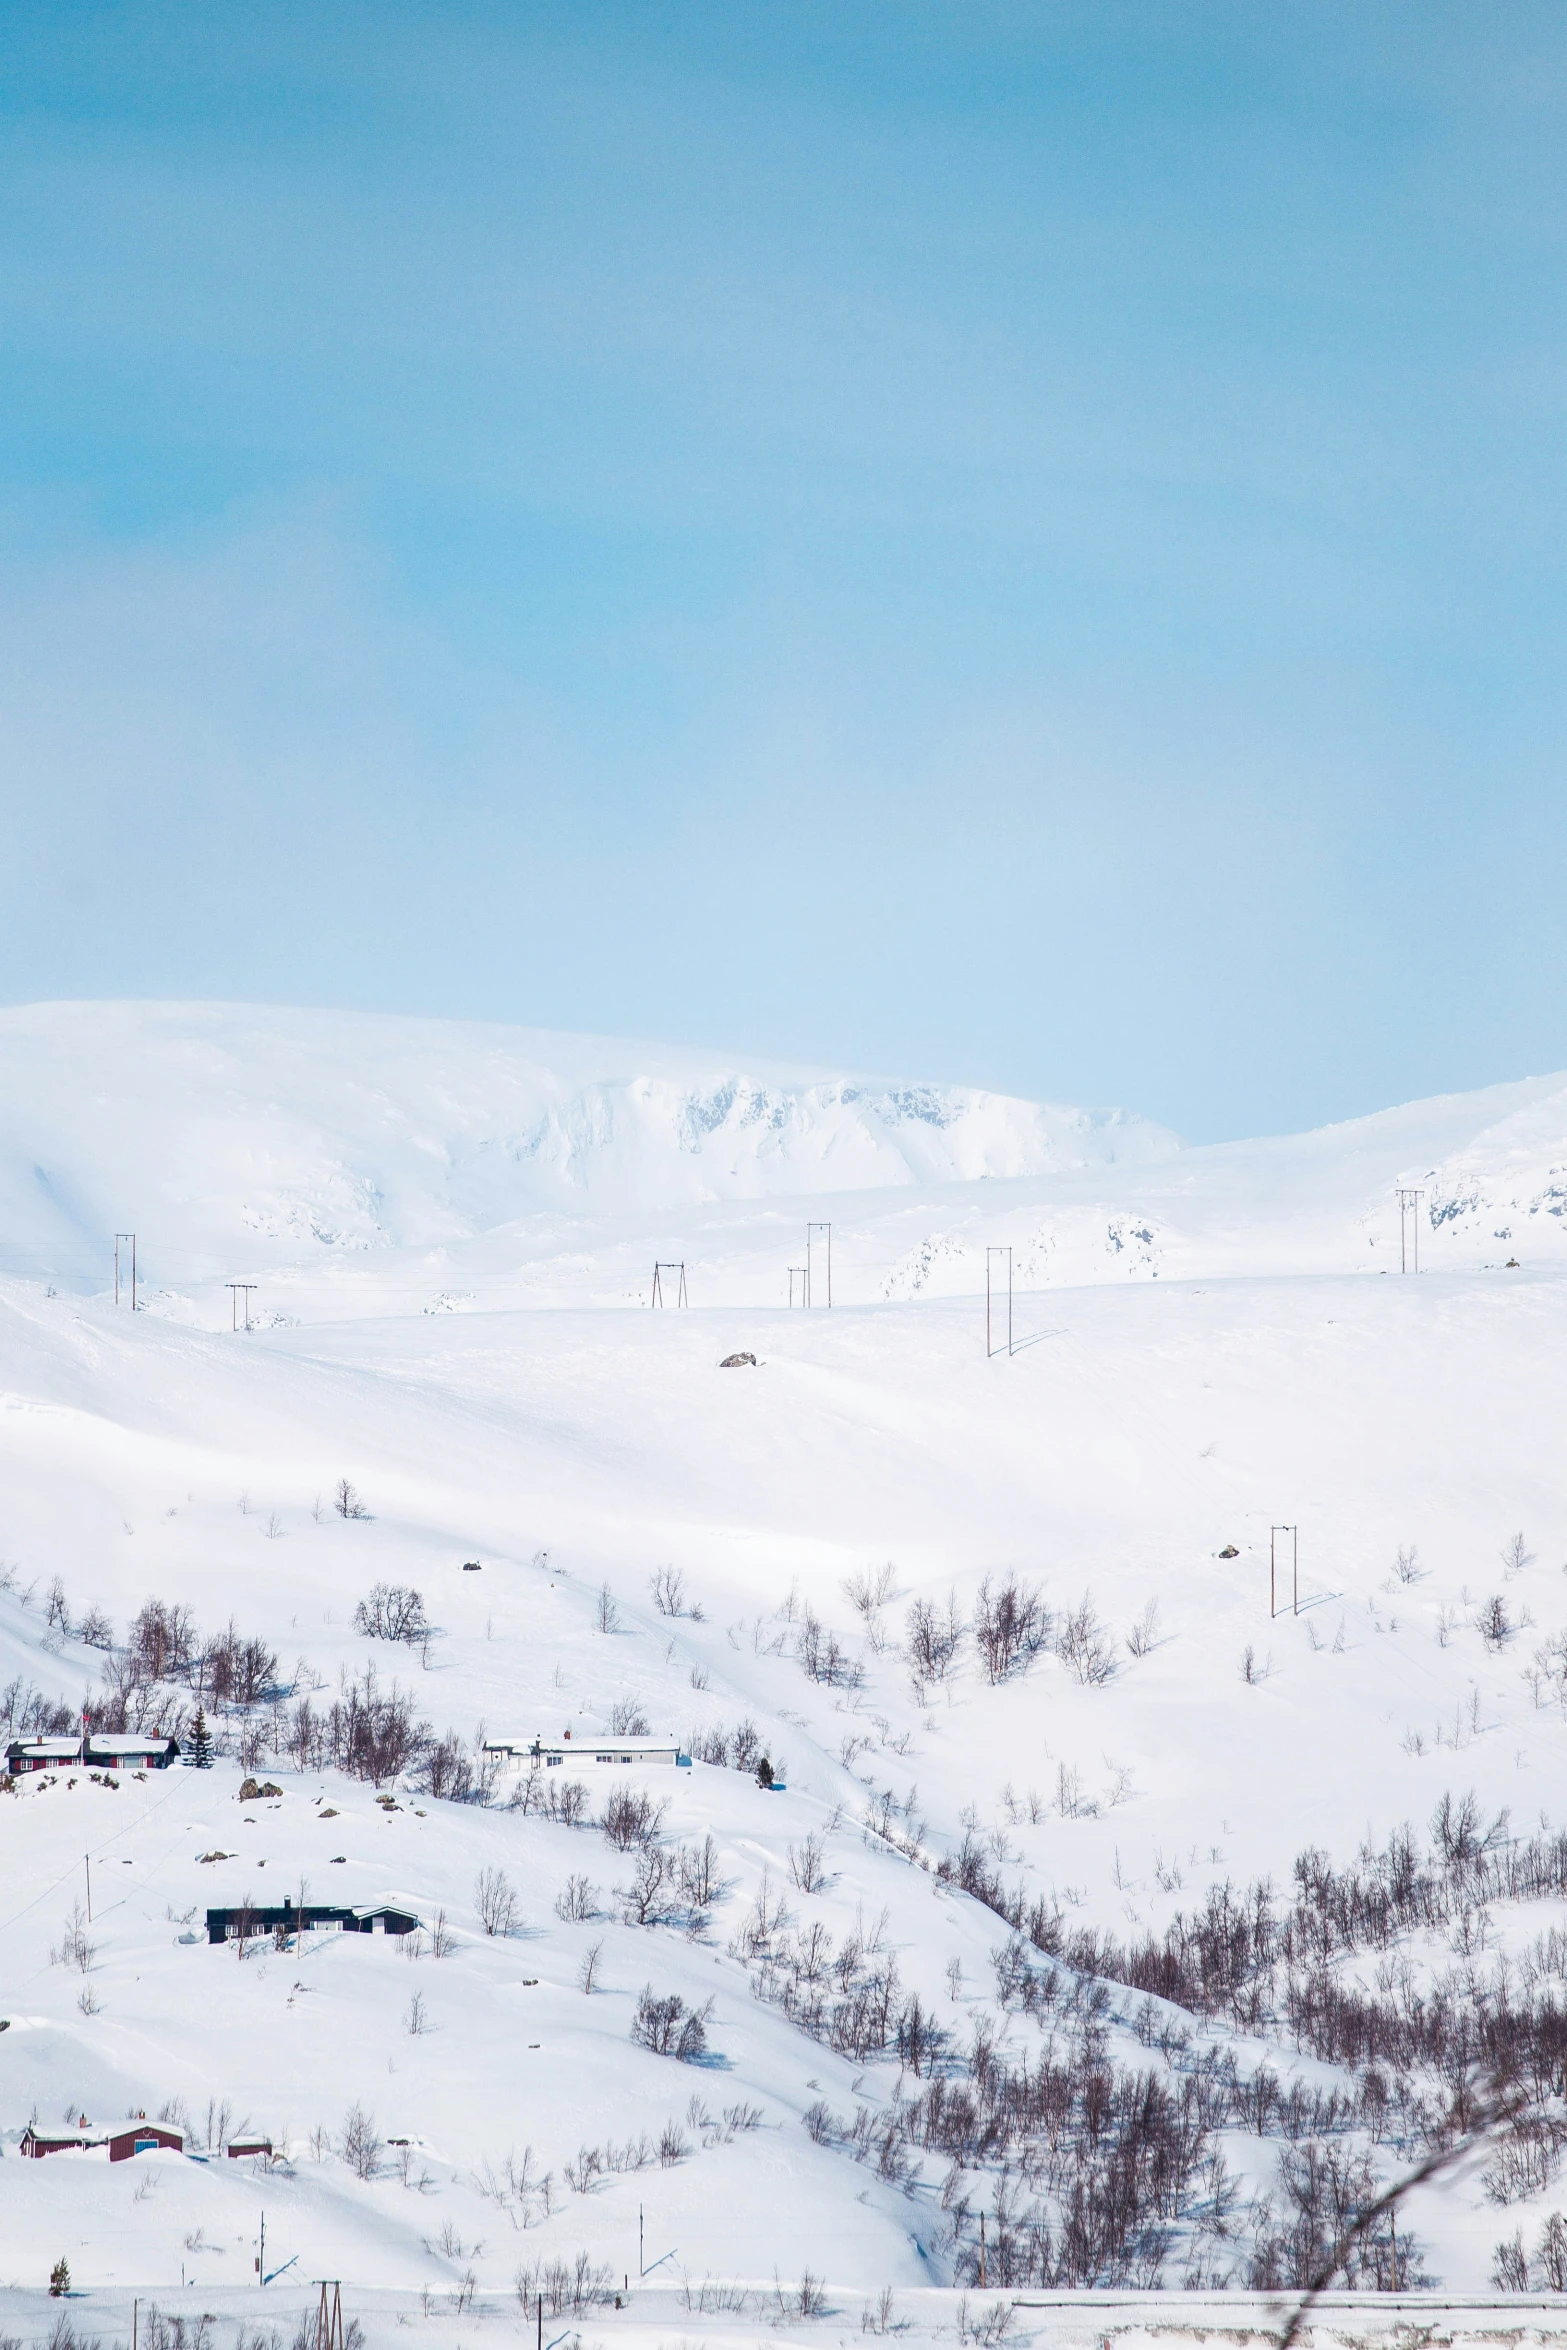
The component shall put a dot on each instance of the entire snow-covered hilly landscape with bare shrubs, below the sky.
(1166, 1705)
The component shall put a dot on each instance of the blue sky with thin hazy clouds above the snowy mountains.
(988, 542)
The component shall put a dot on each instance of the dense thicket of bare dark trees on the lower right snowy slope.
(1413, 2048)
